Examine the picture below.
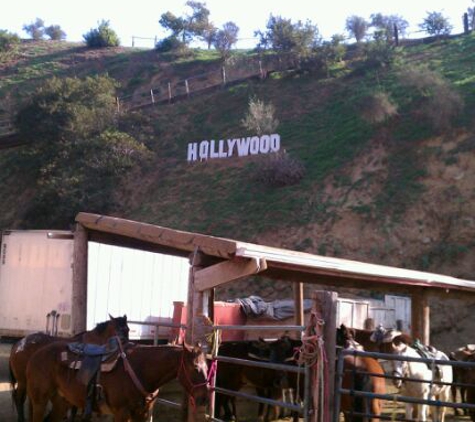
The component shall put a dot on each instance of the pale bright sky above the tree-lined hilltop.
(140, 19)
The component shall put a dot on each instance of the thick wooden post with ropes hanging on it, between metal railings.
(324, 311)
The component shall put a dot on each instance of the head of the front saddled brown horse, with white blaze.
(193, 374)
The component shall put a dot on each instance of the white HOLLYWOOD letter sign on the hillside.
(240, 147)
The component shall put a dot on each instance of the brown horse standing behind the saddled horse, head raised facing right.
(22, 351)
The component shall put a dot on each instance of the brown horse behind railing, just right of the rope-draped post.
(360, 373)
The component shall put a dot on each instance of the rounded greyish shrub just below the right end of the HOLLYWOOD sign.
(279, 170)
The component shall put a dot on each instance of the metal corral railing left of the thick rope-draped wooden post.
(301, 409)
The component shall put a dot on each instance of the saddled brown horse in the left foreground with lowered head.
(127, 392)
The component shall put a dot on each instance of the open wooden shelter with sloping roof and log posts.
(216, 261)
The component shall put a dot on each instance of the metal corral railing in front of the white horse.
(394, 398)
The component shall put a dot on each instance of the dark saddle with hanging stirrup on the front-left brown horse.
(90, 360)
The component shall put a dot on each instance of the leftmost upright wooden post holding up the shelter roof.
(79, 299)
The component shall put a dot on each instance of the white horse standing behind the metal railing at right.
(423, 390)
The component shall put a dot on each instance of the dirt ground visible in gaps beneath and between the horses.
(247, 410)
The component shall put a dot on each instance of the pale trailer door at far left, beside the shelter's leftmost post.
(35, 279)
